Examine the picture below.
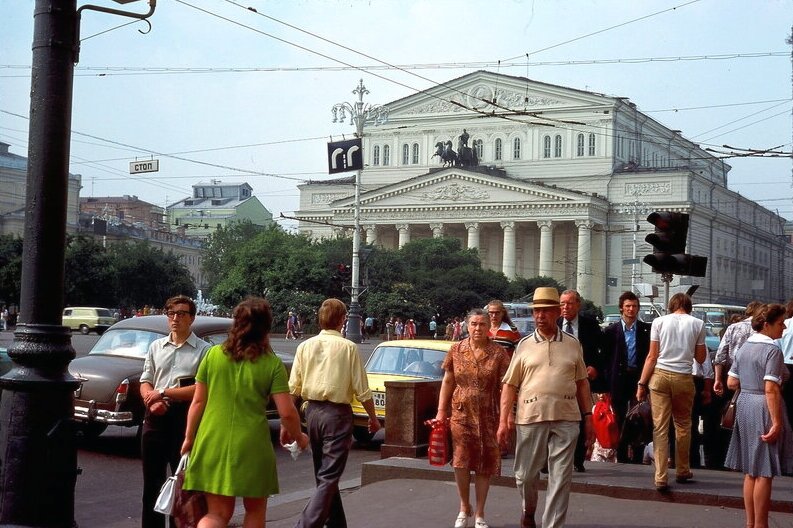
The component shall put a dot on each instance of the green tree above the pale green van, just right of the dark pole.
(88, 277)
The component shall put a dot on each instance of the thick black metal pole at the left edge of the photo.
(38, 457)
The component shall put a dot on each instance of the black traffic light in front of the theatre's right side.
(669, 246)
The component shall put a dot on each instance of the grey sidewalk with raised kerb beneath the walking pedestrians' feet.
(409, 492)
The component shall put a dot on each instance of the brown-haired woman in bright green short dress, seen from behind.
(227, 434)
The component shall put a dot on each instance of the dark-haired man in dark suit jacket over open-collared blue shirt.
(625, 346)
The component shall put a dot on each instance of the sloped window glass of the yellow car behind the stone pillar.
(406, 361)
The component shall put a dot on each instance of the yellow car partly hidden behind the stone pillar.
(403, 360)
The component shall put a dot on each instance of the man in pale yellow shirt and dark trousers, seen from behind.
(327, 373)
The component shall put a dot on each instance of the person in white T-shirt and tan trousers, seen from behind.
(676, 340)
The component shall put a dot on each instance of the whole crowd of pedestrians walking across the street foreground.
(500, 396)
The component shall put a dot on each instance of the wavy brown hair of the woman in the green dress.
(249, 337)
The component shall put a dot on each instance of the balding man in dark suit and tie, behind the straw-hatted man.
(588, 333)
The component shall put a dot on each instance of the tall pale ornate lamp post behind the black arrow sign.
(360, 114)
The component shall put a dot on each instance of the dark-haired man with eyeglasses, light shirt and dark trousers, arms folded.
(166, 386)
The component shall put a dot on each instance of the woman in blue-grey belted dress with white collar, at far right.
(761, 438)
